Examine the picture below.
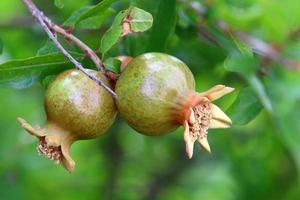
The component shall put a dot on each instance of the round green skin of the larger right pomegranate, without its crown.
(148, 90)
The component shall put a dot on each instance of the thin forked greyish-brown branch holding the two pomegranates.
(47, 26)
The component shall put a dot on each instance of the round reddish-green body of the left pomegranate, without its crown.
(78, 104)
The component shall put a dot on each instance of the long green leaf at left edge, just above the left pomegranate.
(23, 73)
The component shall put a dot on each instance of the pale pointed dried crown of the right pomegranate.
(202, 115)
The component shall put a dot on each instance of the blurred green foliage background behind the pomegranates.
(258, 158)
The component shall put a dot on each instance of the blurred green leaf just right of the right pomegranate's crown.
(245, 108)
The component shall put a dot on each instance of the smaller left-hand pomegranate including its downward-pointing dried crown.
(77, 108)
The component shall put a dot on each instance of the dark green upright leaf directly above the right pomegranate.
(164, 25)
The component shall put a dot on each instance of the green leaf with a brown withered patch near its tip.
(127, 21)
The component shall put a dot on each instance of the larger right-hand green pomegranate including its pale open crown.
(156, 94)
